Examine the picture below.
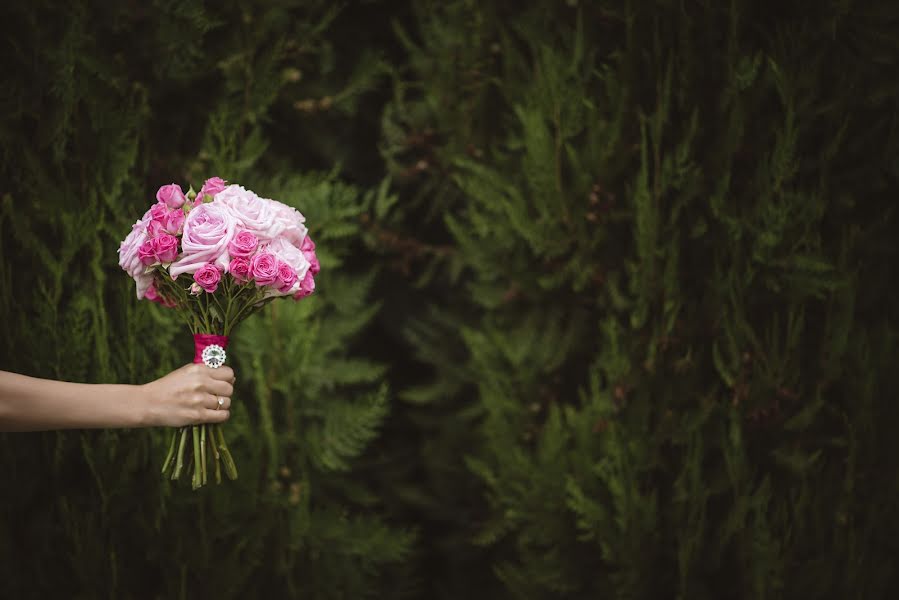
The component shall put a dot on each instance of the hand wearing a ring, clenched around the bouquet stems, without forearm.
(189, 395)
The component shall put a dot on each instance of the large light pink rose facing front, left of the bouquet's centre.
(208, 229)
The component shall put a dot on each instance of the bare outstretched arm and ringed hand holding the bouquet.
(185, 396)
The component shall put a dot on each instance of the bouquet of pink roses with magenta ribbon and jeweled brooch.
(216, 257)
